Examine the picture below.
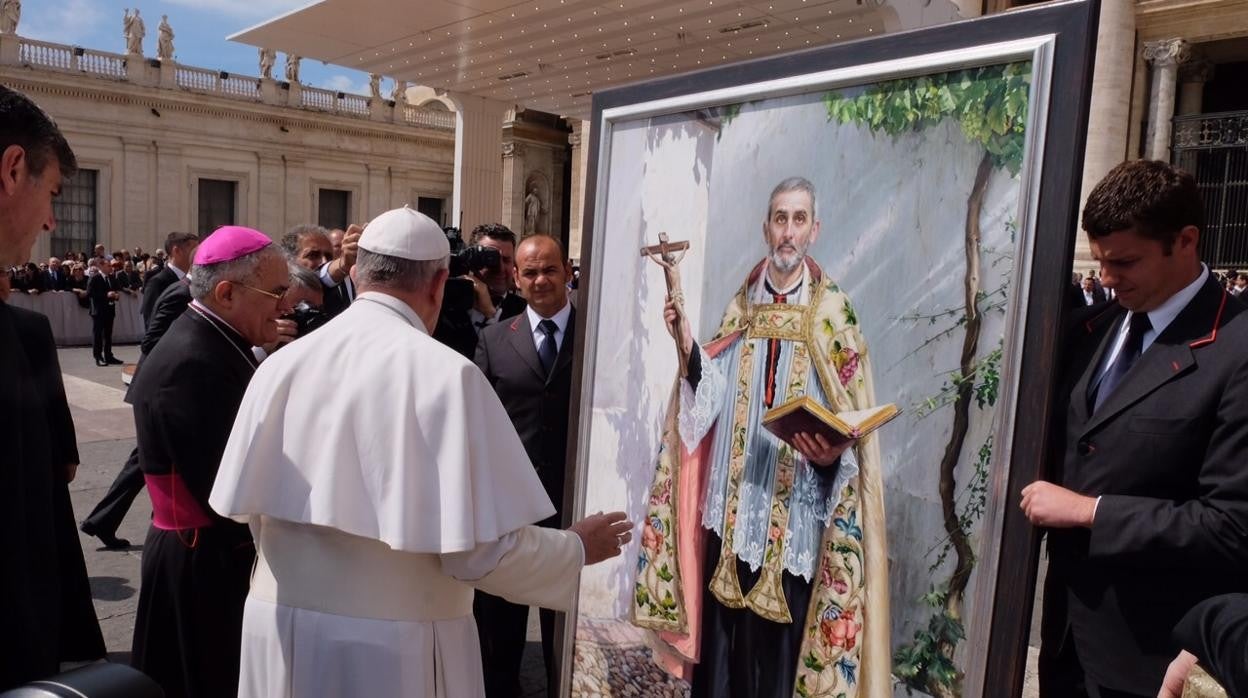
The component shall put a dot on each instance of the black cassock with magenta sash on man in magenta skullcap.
(197, 565)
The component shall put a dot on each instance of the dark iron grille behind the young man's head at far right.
(1215, 149)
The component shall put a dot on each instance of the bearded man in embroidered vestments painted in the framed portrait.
(763, 564)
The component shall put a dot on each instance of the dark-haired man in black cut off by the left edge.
(34, 162)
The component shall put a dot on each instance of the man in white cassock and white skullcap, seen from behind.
(381, 496)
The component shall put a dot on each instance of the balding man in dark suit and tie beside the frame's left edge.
(530, 364)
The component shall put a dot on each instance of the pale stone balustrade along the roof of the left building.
(44, 56)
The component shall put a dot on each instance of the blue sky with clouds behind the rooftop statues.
(200, 31)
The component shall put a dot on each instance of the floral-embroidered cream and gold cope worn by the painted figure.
(846, 646)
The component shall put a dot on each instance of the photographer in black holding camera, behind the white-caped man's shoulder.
(480, 292)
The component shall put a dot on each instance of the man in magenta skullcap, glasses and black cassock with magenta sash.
(197, 564)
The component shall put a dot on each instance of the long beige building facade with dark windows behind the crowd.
(170, 148)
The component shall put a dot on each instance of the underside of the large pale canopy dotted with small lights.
(553, 54)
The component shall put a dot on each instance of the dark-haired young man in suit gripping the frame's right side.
(1148, 510)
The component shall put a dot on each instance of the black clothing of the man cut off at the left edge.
(46, 602)
